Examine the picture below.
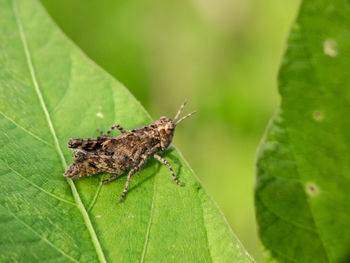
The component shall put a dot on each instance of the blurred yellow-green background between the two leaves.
(223, 56)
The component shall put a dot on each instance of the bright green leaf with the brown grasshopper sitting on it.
(50, 92)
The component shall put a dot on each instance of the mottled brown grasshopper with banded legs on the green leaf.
(129, 151)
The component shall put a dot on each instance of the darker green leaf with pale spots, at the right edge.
(303, 167)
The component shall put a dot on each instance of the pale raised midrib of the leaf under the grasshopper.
(75, 193)
